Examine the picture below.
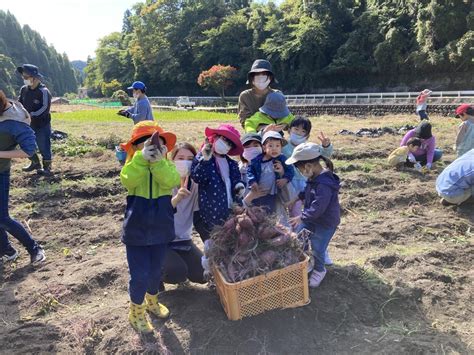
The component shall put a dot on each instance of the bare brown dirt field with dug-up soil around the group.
(401, 283)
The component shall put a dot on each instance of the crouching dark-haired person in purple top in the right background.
(426, 154)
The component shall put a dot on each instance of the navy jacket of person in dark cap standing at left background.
(38, 103)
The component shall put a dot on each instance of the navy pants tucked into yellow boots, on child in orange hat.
(144, 264)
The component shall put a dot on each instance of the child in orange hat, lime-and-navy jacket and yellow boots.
(148, 224)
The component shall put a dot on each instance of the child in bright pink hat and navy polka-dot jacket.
(218, 177)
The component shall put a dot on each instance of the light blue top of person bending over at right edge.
(457, 177)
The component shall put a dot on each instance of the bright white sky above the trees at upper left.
(71, 26)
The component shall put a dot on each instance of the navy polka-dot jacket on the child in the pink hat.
(213, 205)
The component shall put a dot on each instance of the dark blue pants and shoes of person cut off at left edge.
(9, 225)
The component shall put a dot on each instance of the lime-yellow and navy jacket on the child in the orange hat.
(149, 216)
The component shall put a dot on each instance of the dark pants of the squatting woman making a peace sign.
(181, 265)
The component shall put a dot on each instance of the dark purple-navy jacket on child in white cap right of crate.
(321, 202)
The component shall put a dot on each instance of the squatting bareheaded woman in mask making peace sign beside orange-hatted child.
(183, 258)
